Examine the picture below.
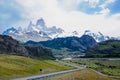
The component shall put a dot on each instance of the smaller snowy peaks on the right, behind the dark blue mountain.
(99, 37)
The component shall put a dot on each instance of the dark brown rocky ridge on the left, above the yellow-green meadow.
(8, 45)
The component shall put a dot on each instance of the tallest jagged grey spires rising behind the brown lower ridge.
(40, 26)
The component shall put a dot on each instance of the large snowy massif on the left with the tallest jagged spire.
(36, 32)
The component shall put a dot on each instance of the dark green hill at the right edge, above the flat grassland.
(109, 48)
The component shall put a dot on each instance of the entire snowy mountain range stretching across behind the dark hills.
(40, 32)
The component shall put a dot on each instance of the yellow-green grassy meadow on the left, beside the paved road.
(16, 66)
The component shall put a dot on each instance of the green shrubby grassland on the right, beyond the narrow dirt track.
(105, 66)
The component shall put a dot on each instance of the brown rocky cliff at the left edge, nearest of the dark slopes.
(11, 46)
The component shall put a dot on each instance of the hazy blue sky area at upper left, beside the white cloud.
(9, 13)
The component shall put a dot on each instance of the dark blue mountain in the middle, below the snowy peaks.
(71, 43)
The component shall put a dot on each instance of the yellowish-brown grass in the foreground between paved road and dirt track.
(86, 74)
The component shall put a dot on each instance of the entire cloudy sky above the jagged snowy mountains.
(70, 15)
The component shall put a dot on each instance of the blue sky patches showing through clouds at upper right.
(85, 6)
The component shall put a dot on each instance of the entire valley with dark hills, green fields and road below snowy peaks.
(53, 58)
